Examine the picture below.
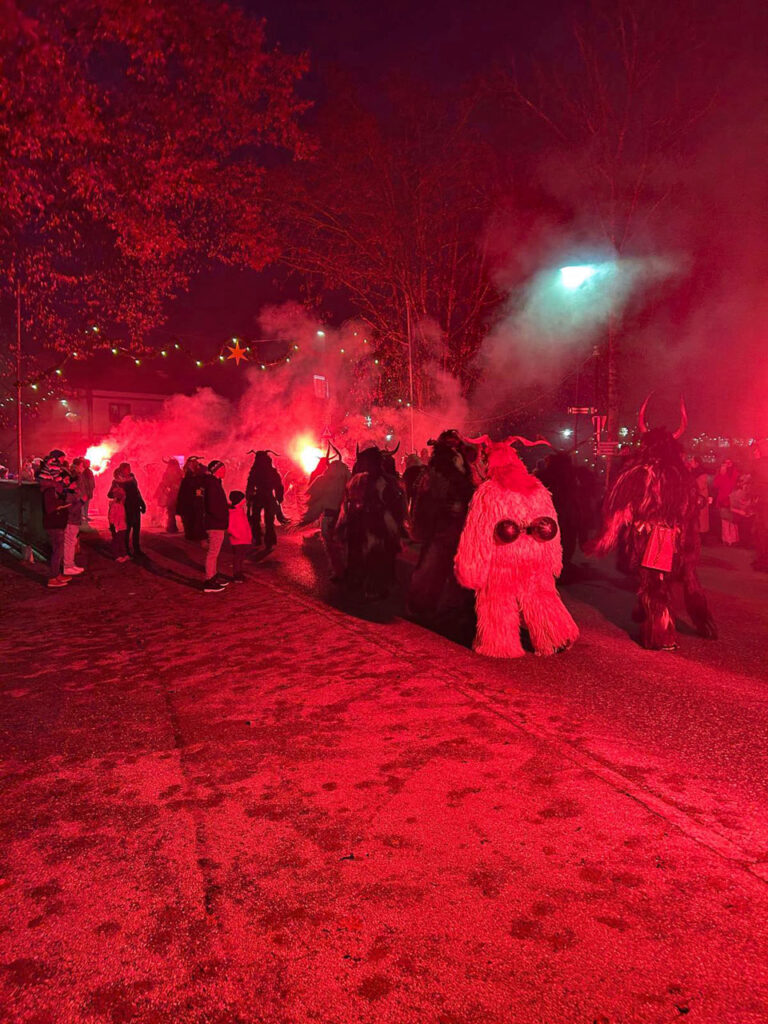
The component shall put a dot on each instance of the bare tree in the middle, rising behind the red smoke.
(391, 218)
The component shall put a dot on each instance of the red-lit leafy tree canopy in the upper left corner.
(134, 143)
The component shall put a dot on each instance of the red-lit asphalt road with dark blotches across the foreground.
(271, 805)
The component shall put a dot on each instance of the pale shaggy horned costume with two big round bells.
(510, 556)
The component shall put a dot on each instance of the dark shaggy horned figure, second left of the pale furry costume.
(370, 525)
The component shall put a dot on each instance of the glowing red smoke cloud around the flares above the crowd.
(318, 391)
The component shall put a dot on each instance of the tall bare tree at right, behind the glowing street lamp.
(618, 111)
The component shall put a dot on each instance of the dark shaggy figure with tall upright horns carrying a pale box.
(654, 506)
